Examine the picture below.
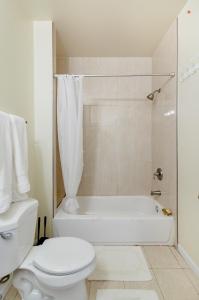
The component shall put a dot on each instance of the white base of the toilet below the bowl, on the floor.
(30, 289)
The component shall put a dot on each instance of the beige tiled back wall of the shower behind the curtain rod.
(117, 126)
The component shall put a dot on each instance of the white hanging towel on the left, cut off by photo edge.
(6, 162)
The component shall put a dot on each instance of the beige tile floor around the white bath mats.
(172, 278)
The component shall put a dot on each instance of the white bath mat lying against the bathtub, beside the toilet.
(120, 263)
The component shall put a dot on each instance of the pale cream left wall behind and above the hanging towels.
(16, 68)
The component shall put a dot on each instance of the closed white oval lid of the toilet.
(63, 255)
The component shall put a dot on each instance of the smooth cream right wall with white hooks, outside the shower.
(188, 131)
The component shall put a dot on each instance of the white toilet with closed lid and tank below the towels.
(55, 270)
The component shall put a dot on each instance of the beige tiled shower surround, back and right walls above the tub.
(117, 136)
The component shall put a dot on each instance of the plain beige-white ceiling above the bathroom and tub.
(107, 27)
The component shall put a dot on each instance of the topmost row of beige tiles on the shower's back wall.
(111, 88)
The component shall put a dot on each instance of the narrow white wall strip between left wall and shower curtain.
(43, 117)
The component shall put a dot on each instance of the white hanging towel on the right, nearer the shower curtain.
(21, 183)
